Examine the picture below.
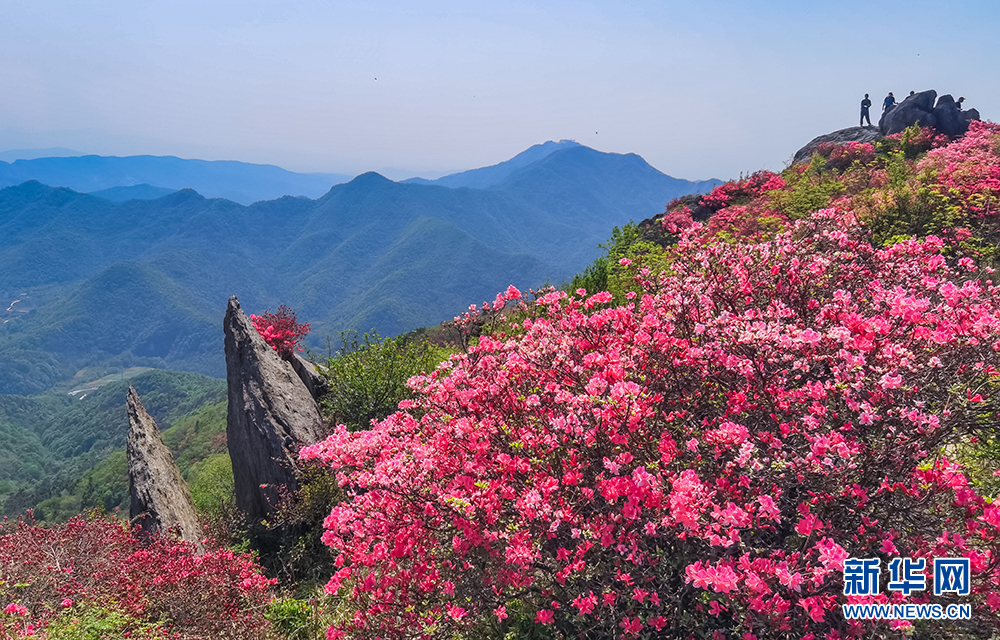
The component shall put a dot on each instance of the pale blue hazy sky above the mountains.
(707, 89)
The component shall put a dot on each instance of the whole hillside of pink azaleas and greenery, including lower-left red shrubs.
(690, 440)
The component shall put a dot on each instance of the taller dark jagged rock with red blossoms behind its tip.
(272, 414)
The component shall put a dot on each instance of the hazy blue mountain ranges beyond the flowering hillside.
(88, 280)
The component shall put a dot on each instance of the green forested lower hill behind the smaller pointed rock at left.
(80, 439)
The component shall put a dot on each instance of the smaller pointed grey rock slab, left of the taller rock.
(160, 497)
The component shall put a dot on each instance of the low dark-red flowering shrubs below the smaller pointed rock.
(101, 563)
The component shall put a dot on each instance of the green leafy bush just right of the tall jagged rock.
(366, 380)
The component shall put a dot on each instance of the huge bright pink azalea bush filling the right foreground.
(702, 459)
